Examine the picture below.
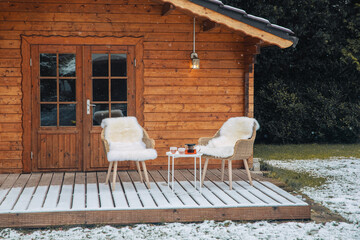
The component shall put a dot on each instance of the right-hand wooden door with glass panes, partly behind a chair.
(110, 90)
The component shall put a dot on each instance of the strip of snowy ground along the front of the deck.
(205, 230)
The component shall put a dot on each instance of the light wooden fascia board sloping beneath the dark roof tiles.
(229, 22)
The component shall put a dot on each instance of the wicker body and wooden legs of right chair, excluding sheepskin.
(243, 150)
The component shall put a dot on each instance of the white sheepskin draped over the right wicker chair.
(231, 131)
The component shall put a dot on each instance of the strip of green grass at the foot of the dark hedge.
(305, 151)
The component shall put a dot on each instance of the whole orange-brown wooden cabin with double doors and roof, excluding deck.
(66, 65)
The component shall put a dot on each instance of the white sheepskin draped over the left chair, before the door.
(124, 135)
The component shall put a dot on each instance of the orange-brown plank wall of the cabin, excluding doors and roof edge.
(180, 104)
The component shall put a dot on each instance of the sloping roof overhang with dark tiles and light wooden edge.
(215, 12)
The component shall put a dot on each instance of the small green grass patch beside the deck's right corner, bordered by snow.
(292, 179)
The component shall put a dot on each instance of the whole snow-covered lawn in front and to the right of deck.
(340, 193)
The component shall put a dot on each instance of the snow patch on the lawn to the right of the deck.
(341, 191)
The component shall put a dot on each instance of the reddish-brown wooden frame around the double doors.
(26, 70)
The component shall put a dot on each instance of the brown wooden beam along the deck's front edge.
(45, 219)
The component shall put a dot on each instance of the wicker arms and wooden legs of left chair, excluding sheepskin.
(150, 143)
